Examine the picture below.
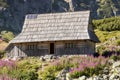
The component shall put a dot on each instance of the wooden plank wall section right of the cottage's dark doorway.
(82, 47)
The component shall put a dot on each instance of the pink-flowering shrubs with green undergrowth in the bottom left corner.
(9, 70)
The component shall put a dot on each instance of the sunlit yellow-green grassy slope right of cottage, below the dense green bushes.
(109, 42)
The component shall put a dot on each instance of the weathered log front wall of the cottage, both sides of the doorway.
(61, 48)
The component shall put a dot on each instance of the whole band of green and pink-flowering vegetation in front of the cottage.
(34, 68)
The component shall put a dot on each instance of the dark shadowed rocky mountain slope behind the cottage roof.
(12, 12)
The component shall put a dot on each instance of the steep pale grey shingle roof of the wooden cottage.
(56, 27)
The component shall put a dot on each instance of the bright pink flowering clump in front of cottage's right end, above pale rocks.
(88, 66)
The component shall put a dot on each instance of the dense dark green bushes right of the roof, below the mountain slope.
(108, 24)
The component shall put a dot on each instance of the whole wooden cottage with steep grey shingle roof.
(66, 33)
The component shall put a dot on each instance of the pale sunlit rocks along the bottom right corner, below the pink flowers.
(109, 73)
